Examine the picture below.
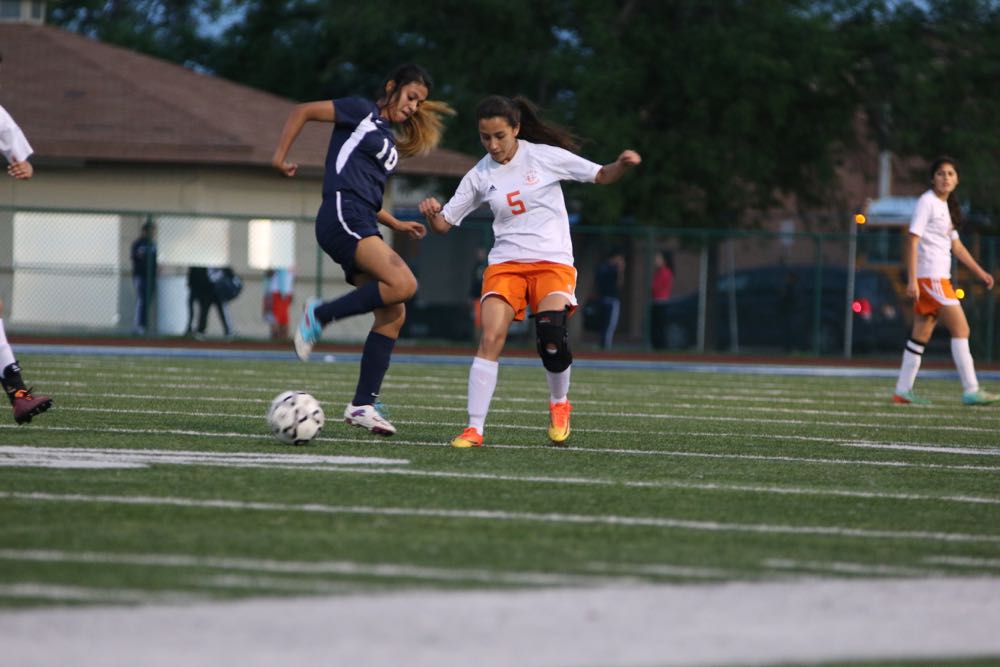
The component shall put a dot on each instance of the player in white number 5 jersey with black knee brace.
(531, 262)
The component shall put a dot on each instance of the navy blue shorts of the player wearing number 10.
(340, 224)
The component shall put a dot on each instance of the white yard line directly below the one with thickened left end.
(659, 522)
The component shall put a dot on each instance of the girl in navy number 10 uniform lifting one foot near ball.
(367, 141)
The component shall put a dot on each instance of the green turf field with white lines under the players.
(156, 481)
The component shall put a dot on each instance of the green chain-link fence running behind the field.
(741, 292)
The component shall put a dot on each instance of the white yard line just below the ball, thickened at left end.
(64, 457)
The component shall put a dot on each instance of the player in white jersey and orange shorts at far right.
(932, 241)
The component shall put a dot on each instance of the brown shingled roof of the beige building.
(78, 99)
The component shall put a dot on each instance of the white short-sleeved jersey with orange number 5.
(530, 223)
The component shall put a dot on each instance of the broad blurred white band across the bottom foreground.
(694, 625)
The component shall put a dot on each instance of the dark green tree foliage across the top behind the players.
(732, 104)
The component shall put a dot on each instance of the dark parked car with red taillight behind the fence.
(775, 307)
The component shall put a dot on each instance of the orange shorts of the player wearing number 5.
(524, 284)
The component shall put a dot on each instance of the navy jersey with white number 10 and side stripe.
(362, 152)
